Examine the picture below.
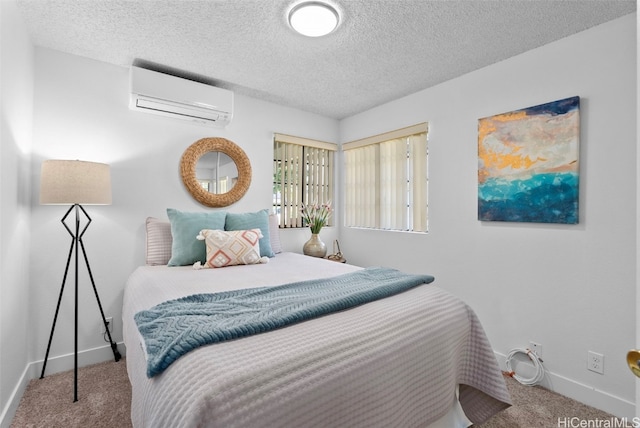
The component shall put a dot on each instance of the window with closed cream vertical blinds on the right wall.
(386, 180)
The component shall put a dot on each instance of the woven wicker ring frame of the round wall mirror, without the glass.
(188, 171)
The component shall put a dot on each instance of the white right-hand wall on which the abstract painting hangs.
(569, 288)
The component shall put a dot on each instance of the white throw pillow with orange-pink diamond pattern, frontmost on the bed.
(230, 248)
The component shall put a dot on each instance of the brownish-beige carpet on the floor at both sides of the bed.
(104, 396)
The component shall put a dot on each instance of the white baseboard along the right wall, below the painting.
(586, 394)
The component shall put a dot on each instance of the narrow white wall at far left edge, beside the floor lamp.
(16, 83)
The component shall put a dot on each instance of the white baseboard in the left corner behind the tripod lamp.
(57, 364)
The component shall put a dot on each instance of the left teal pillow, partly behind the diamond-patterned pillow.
(186, 249)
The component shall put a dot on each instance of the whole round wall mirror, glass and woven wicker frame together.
(215, 171)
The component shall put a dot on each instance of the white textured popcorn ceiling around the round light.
(382, 50)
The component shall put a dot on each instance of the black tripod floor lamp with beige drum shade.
(76, 182)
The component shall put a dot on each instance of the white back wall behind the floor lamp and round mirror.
(81, 112)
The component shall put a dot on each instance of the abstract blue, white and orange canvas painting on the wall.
(528, 164)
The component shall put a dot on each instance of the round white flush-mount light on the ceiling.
(314, 18)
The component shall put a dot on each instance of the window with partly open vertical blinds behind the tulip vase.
(302, 174)
